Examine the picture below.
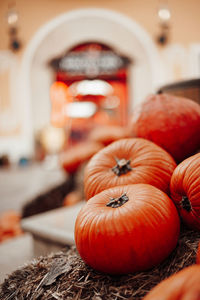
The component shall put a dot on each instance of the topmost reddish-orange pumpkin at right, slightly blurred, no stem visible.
(171, 122)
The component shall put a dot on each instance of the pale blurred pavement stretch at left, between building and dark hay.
(19, 185)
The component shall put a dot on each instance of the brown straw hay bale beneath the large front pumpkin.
(65, 276)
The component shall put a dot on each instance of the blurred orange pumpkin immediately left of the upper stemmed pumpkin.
(73, 157)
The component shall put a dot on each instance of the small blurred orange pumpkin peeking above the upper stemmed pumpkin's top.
(108, 134)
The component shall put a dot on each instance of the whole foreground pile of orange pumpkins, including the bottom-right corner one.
(139, 190)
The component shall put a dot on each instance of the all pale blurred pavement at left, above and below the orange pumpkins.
(17, 186)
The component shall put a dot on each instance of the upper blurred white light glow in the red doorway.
(91, 87)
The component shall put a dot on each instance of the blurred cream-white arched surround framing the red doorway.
(76, 27)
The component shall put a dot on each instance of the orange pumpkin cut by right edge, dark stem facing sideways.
(185, 190)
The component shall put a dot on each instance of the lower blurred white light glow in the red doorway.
(84, 109)
